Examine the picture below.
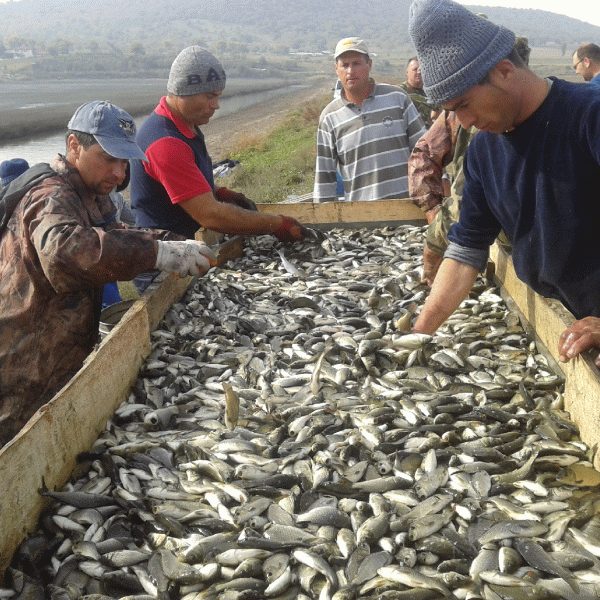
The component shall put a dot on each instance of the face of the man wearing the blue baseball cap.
(100, 171)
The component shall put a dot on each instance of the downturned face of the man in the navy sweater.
(488, 107)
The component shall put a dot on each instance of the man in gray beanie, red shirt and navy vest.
(175, 189)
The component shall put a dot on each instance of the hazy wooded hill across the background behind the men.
(141, 37)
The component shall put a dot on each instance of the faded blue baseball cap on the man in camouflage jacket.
(111, 126)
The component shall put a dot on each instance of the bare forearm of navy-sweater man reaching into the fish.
(452, 284)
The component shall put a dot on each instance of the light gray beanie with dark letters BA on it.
(195, 71)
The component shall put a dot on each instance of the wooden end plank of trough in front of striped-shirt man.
(355, 214)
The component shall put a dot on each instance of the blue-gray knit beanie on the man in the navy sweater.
(456, 49)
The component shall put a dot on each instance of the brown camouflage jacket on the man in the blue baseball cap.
(60, 248)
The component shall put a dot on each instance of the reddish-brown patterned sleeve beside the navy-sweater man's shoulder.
(428, 159)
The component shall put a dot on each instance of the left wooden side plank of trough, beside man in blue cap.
(45, 450)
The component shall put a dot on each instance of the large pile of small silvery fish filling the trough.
(288, 437)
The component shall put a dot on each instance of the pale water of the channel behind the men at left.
(45, 148)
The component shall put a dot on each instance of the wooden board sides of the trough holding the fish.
(45, 451)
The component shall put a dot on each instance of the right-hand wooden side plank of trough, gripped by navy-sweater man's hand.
(549, 318)
